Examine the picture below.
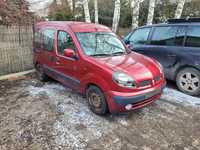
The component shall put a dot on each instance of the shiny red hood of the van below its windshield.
(136, 65)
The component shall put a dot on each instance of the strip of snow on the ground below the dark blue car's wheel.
(179, 97)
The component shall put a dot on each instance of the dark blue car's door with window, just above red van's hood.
(163, 45)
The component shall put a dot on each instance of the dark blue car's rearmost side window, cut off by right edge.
(193, 37)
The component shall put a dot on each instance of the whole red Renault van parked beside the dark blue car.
(92, 60)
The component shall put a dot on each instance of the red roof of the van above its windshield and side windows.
(75, 26)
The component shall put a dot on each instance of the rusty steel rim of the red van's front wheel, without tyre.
(95, 100)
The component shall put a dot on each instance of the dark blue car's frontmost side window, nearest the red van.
(140, 36)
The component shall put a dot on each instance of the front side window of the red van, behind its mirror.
(64, 42)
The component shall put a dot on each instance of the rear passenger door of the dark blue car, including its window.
(166, 45)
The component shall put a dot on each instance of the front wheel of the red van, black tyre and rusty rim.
(96, 100)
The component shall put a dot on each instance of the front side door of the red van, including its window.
(66, 67)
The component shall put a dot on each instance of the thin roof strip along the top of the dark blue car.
(172, 24)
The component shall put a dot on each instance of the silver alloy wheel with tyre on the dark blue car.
(188, 81)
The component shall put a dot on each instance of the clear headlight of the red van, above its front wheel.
(123, 80)
